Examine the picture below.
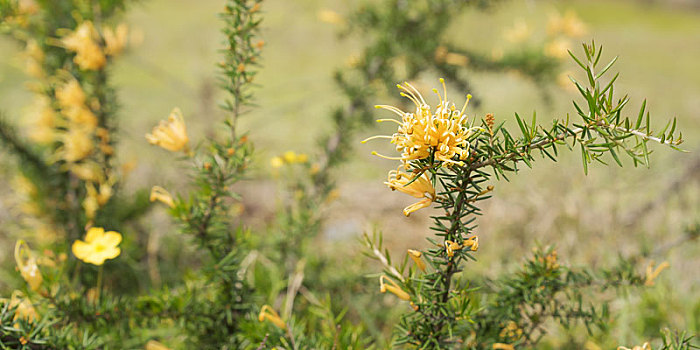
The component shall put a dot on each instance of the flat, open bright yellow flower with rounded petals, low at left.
(98, 246)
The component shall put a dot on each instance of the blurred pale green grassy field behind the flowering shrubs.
(591, 219)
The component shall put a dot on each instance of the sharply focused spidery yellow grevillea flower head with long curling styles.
(424, 133)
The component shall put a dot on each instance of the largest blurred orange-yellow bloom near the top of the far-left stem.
(82, 41)
